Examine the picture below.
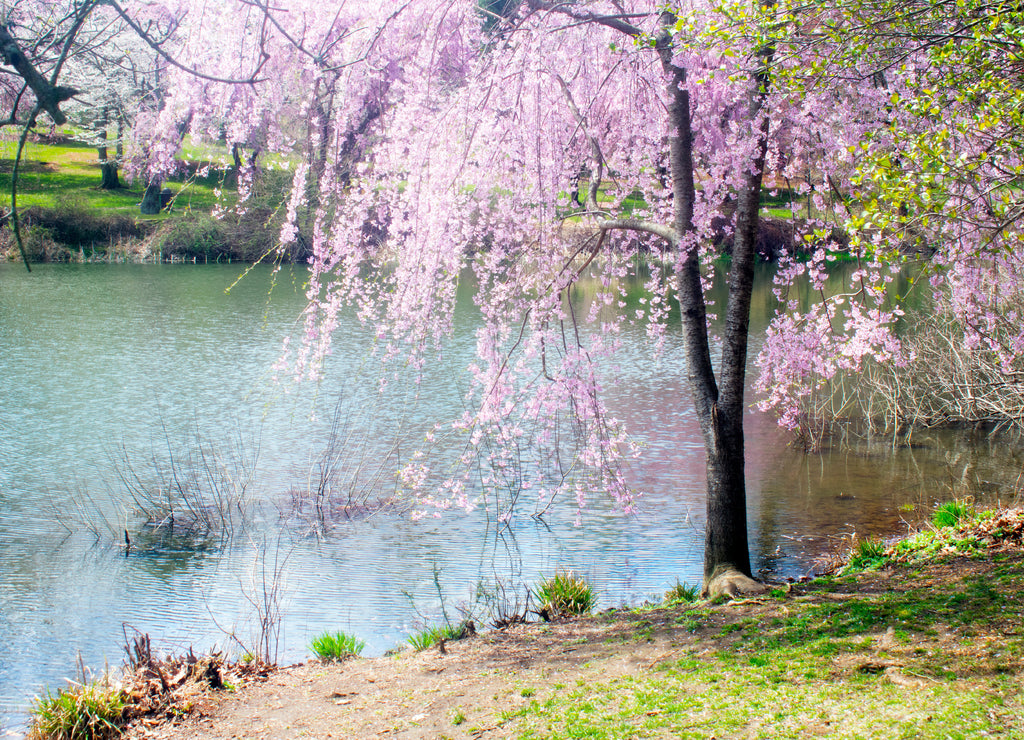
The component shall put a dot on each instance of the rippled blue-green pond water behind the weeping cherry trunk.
(110, 372)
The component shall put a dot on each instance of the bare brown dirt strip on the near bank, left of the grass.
(460, 693)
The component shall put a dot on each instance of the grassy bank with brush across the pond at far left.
(67, 217)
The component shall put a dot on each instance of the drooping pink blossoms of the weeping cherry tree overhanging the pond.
(441, 146)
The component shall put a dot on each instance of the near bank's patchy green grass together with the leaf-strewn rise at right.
(929, 650)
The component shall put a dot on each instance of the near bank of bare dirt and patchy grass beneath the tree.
(924, 639)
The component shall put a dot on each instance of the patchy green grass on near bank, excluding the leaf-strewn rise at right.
(780, 679)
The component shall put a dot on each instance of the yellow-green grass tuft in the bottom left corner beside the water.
(93, 711)
